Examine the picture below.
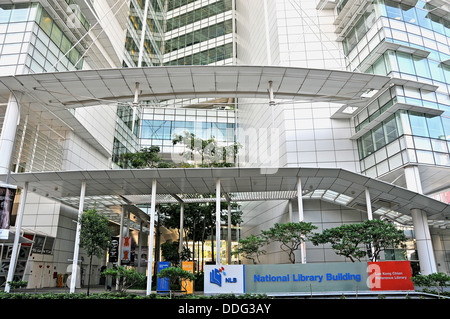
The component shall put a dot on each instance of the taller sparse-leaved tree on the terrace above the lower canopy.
(206, 153)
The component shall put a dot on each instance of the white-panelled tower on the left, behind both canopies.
(55, 36)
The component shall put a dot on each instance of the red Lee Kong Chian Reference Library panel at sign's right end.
(390, 275)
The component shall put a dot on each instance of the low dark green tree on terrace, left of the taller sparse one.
(148, 157)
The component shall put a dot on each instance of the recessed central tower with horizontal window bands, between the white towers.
(189, 33)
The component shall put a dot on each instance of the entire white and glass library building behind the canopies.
(400, 135)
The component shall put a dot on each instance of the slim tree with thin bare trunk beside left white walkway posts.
(95, 236)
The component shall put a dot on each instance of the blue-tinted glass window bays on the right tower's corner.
(410, 43)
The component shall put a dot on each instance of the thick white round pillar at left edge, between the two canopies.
(8, 134)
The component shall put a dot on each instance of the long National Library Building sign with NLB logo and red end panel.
(382, 276)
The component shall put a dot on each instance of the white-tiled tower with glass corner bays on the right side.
(401, 135)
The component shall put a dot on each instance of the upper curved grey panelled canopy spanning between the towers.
(90, 87)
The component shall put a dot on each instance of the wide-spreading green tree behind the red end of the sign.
(352, 240)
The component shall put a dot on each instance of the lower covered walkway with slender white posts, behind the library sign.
(109, 189)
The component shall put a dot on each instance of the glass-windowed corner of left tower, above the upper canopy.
(30, 41)
